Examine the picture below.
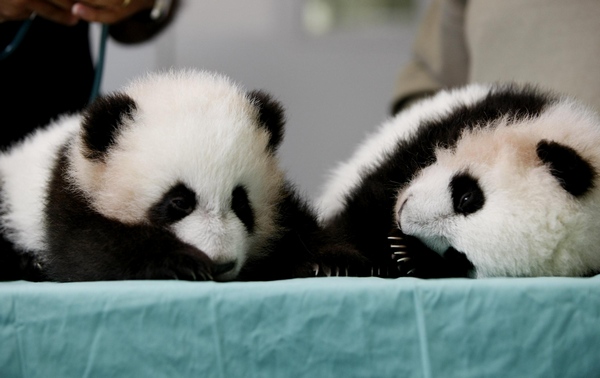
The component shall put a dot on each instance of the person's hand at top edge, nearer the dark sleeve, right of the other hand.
(109, 11)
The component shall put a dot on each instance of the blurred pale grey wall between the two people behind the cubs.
(332, 63)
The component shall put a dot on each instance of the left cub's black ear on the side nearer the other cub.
(270, 116)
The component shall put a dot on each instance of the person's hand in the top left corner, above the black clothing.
(58, 11)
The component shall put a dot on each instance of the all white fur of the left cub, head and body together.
(192, 127)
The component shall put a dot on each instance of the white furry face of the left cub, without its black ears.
(197, 134)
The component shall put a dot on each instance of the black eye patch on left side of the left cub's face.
(176, 204)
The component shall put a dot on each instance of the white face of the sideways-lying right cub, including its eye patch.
(498, 203)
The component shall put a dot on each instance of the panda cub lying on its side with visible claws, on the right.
(481, 181)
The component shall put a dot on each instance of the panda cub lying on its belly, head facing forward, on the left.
(175, 176)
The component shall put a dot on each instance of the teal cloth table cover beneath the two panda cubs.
(315, 327)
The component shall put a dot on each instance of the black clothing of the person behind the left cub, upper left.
(51, 72)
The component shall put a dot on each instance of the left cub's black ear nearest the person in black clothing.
(102, 120)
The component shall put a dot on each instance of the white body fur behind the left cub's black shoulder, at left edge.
(24, 178)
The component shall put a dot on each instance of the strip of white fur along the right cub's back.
(371, 153)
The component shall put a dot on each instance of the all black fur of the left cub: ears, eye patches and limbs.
(85, 245)
